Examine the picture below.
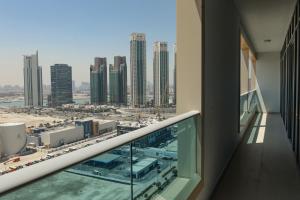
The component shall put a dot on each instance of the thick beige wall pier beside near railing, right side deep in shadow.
(211, 83)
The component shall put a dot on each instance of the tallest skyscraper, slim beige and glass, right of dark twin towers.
(138, 69)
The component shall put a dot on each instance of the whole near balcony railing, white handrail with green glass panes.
(156, 162)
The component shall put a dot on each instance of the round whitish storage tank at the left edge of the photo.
(12, 138)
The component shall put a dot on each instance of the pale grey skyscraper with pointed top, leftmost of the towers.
(33, 81)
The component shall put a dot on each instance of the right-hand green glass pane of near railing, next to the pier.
(156, 162)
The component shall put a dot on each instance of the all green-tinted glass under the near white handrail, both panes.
(163, 163)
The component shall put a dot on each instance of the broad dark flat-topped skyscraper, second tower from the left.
(61, 84)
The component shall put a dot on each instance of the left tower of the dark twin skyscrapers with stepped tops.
(98, 81)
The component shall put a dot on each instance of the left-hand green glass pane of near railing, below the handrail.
(102, 177)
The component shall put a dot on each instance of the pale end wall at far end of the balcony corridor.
(268, 78)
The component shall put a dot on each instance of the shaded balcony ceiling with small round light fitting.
(266, 19)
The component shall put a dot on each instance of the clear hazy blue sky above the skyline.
(75, 31)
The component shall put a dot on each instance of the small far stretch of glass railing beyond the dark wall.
(248, 107)
